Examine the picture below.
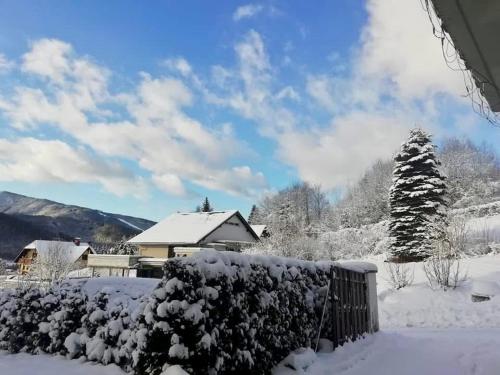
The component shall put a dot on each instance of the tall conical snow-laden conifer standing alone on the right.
(417, 198)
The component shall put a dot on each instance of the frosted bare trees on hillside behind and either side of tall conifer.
(302, 217)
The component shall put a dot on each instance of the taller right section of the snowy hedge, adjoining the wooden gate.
(223, 312)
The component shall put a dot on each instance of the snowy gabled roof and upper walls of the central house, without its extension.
(181, 234)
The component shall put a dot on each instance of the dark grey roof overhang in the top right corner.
(474, 27)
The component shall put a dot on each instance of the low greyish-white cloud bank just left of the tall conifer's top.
(339, 154)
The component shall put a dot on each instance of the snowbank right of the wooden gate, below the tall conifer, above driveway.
(420, 306)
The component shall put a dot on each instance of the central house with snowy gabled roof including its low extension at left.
(179, 235)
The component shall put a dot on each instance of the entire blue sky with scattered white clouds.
(146, 108)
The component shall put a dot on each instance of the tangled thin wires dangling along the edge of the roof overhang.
(474, 86)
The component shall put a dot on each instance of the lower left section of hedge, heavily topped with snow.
(66, 319)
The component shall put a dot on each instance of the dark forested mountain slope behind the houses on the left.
(24, 219)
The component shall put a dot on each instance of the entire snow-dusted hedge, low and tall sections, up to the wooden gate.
(213, 313)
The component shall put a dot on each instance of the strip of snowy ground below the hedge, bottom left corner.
(26, 364)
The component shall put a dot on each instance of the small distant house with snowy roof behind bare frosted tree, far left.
(77, 251)
